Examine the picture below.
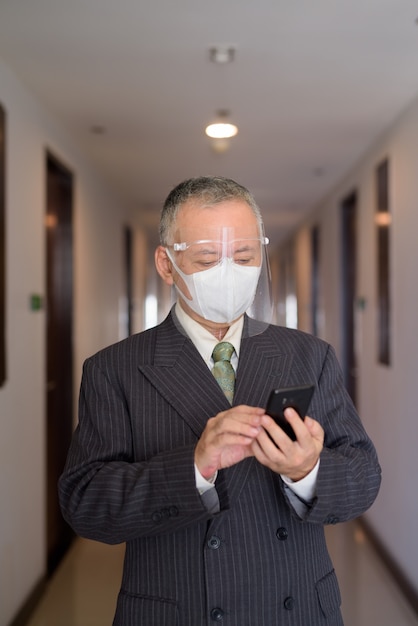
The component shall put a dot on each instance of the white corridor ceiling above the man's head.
(313, 84)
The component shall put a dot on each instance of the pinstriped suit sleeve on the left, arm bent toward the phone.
(104, 494)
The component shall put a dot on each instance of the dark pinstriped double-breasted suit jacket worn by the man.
(129, 477)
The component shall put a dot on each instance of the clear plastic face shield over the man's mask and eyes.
(225, 274)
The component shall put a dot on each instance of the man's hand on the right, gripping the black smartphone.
(294, 459)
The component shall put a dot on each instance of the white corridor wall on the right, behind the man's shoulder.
(387, 396)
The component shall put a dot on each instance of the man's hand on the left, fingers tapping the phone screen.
(227, 439)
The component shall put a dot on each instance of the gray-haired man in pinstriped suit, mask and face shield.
(222, 513)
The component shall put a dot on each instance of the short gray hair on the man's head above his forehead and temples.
(210, 190)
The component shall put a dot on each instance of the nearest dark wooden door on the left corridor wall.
(59, 303)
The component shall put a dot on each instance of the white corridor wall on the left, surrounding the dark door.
(98, 284)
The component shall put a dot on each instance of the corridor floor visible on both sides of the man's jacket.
(84, 588)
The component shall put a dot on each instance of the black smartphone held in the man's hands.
(297, 398)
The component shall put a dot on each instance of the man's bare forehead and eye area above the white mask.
(204, 235)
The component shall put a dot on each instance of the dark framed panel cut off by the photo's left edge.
(2, 246)
